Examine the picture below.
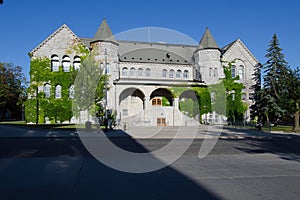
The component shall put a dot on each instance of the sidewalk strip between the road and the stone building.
(200, 132)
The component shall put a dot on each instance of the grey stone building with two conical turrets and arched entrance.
(142, 74)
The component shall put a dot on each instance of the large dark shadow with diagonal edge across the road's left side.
(61, 168)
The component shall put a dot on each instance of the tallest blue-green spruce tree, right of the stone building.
(275, 81)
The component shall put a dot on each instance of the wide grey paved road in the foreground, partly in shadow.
(61, 168)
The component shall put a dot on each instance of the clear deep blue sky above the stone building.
(25, 24)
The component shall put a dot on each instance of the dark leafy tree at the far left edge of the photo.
(12, 91)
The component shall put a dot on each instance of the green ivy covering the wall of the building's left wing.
(38, 107)
